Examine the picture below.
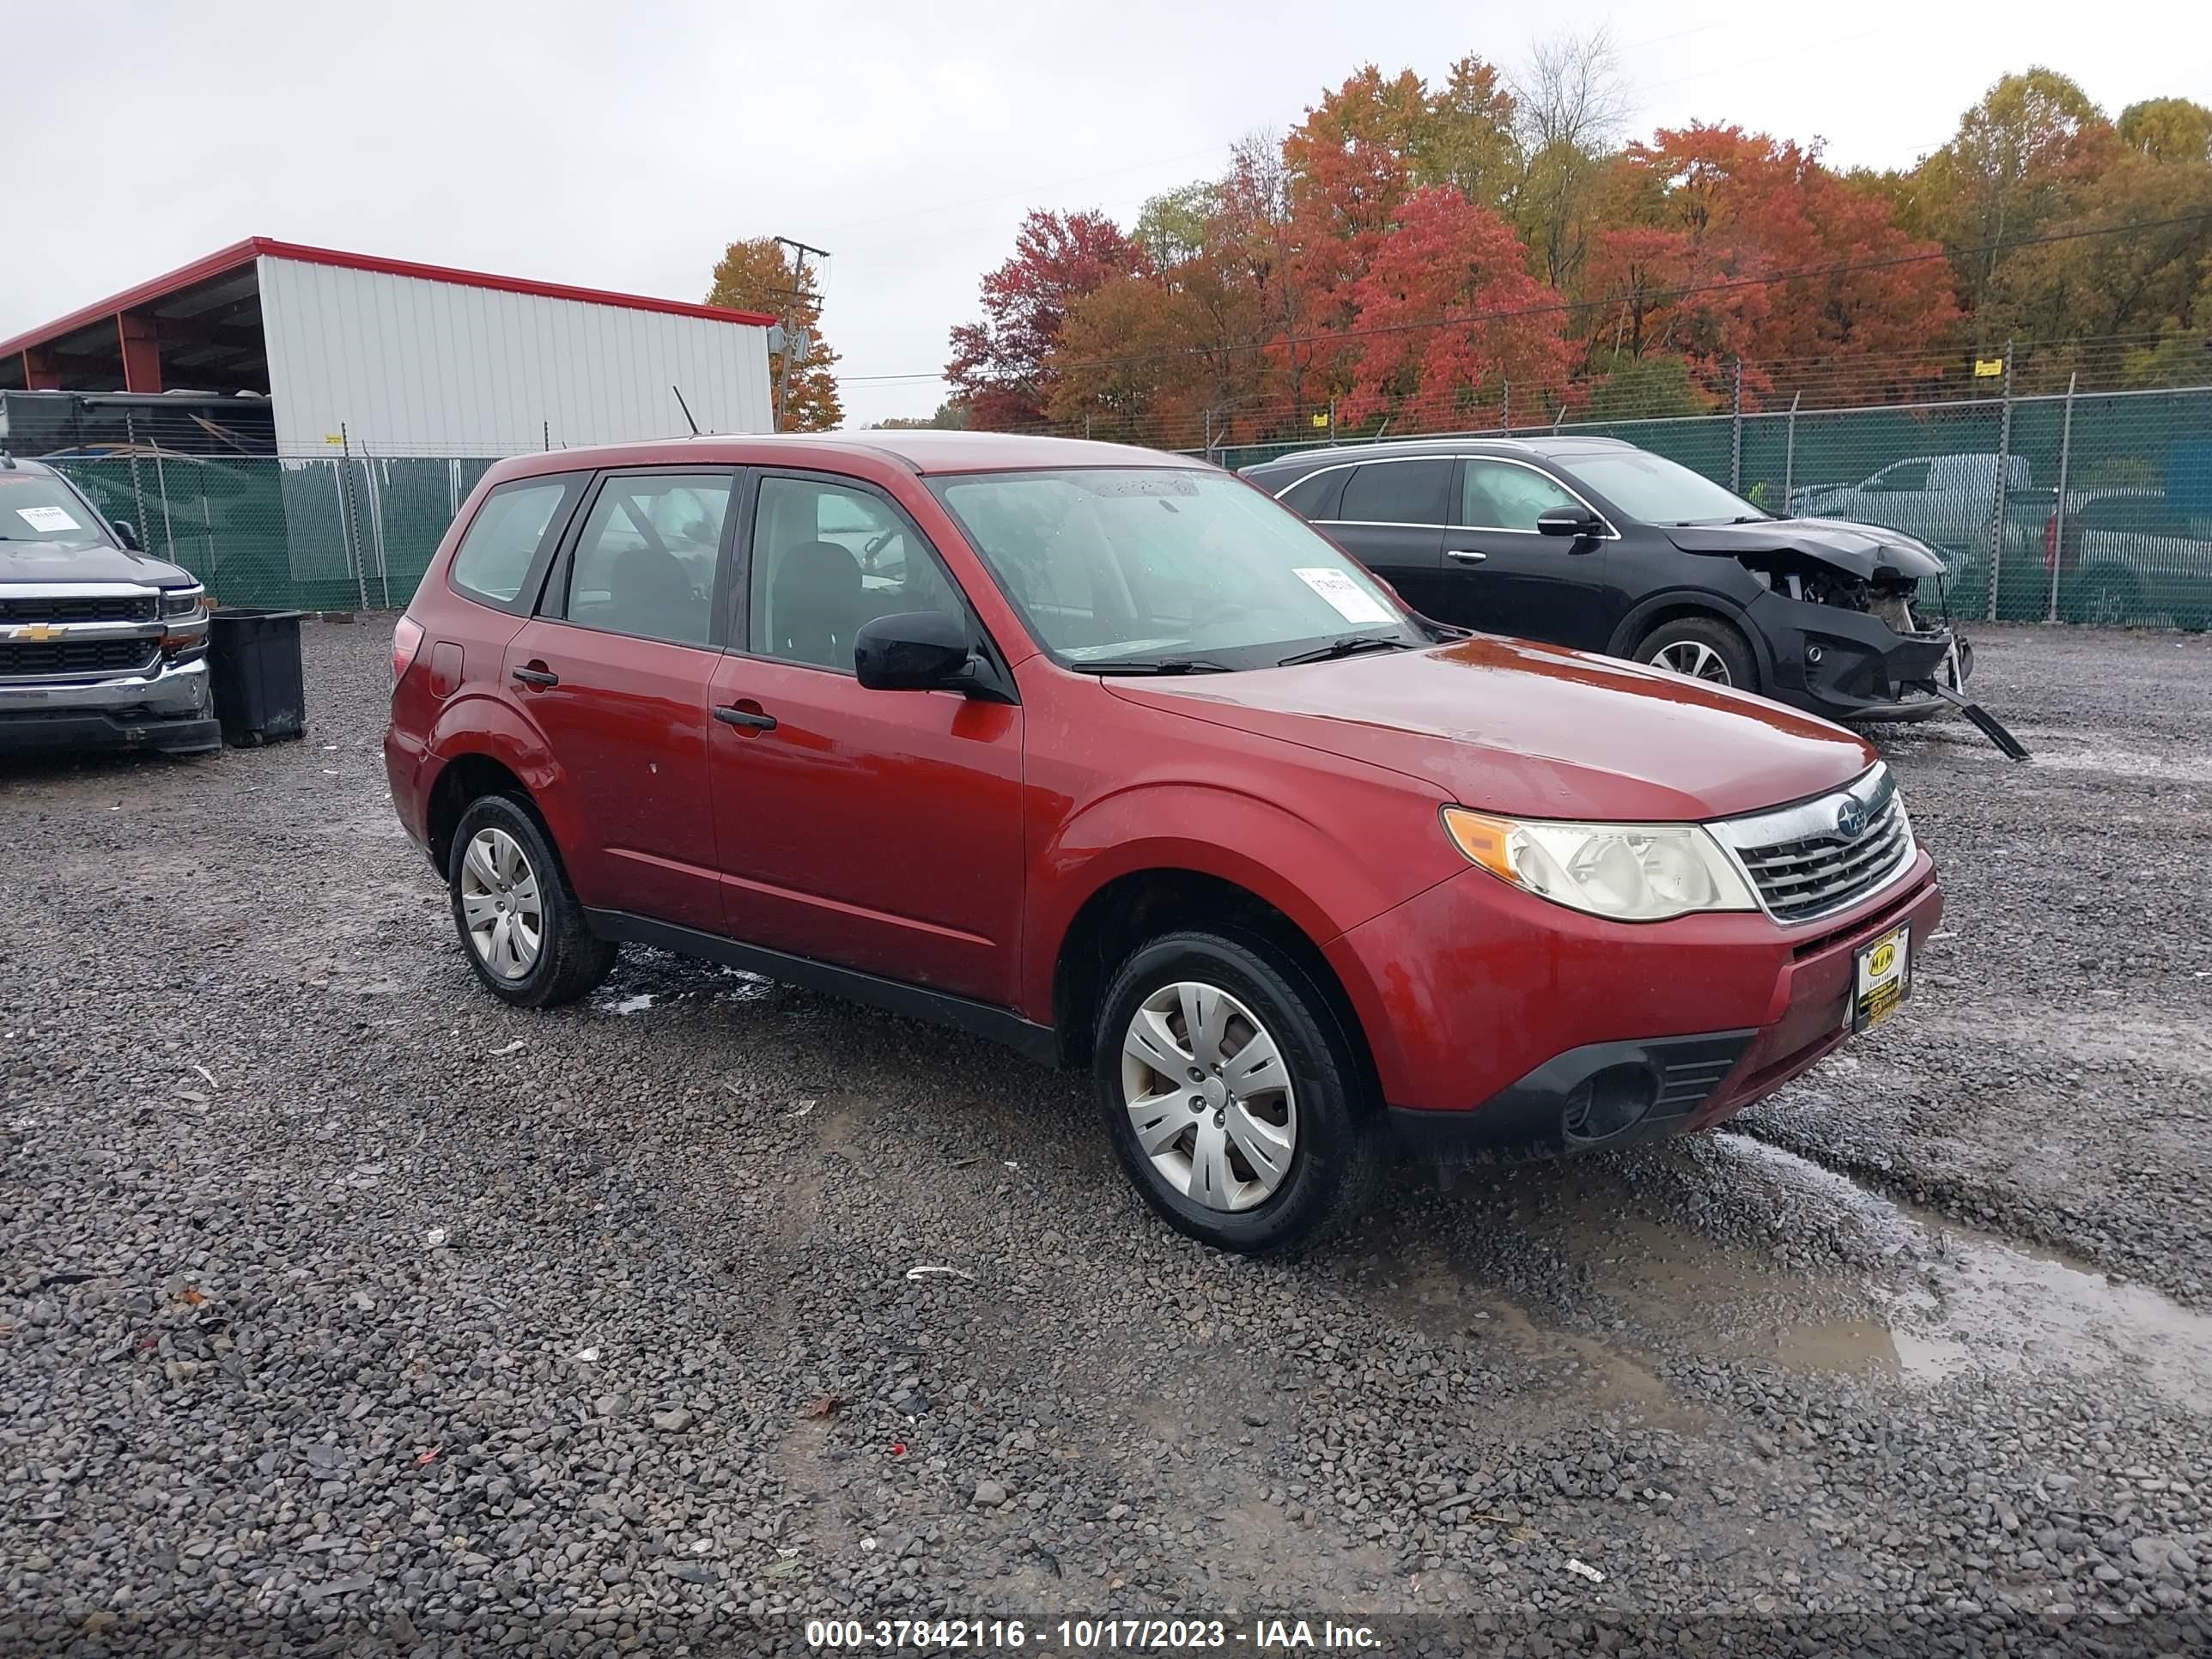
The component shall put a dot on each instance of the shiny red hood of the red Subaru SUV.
(1534, 731)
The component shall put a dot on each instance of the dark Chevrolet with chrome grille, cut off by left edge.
(101, 645)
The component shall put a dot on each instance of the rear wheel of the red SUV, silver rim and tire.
(514, 910)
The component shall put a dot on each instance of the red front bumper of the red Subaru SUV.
(1488, 1010)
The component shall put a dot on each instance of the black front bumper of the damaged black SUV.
(1853, 667)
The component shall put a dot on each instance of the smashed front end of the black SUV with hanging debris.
(1846, 618)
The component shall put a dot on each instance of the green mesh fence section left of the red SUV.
(320, 534)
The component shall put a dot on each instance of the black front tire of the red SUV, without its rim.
(1337, 1158)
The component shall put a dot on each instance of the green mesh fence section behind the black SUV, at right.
(2091, 508)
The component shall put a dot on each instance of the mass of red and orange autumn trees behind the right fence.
(1408, 251)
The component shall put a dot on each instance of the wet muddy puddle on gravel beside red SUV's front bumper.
(1744, 1253)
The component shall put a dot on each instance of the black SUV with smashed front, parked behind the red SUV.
(1600, 545)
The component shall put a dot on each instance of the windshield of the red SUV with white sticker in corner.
(1165, 565)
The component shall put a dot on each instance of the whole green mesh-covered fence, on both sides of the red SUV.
(2091, 508)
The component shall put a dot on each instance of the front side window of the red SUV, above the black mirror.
(828, 559)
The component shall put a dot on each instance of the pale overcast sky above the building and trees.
(623, 147)
